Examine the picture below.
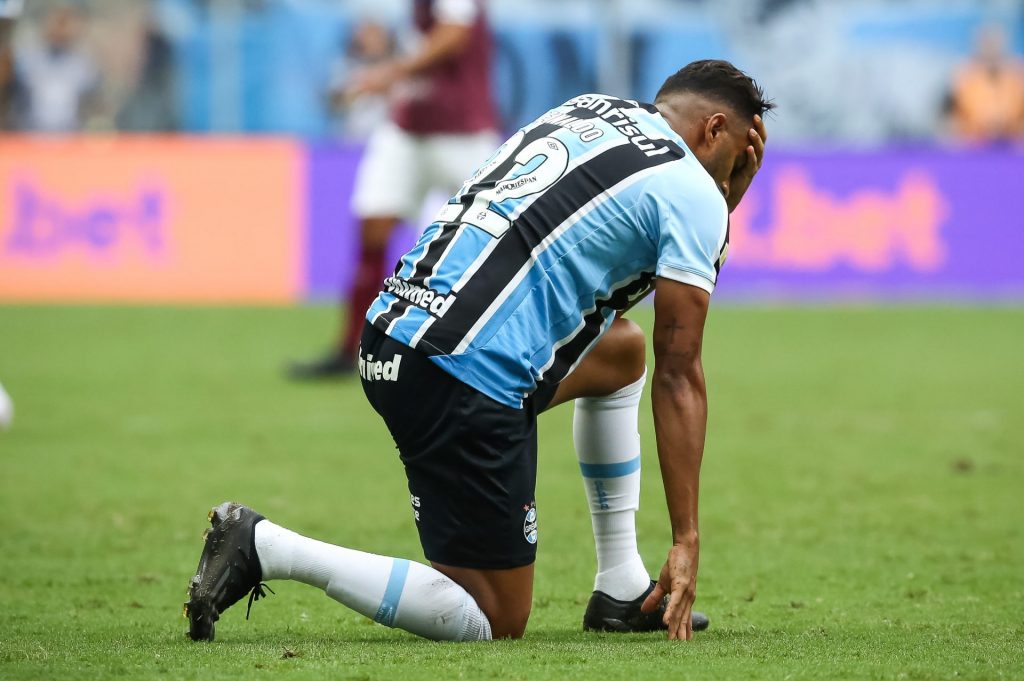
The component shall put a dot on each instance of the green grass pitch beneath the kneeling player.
(862, 502)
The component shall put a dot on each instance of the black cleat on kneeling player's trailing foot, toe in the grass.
(228, 570)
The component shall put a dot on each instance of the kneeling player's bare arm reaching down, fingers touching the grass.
(680, 407)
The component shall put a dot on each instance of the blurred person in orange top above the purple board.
(988, 98)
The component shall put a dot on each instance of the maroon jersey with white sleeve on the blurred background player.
(455, 96)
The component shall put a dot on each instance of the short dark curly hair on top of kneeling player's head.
(719, 80)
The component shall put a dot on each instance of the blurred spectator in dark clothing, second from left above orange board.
(151, 104)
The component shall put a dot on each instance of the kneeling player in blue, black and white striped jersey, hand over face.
(509, 305)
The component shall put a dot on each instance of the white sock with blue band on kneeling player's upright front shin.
(608, 445)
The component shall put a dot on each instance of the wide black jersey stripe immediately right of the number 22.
(551, 209)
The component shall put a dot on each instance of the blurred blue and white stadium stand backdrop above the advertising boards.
(880, 70)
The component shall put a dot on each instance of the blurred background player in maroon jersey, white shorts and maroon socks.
(443, 125)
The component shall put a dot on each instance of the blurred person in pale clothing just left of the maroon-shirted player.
(370, 46)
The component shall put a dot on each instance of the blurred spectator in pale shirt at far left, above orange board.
(57, 80)
